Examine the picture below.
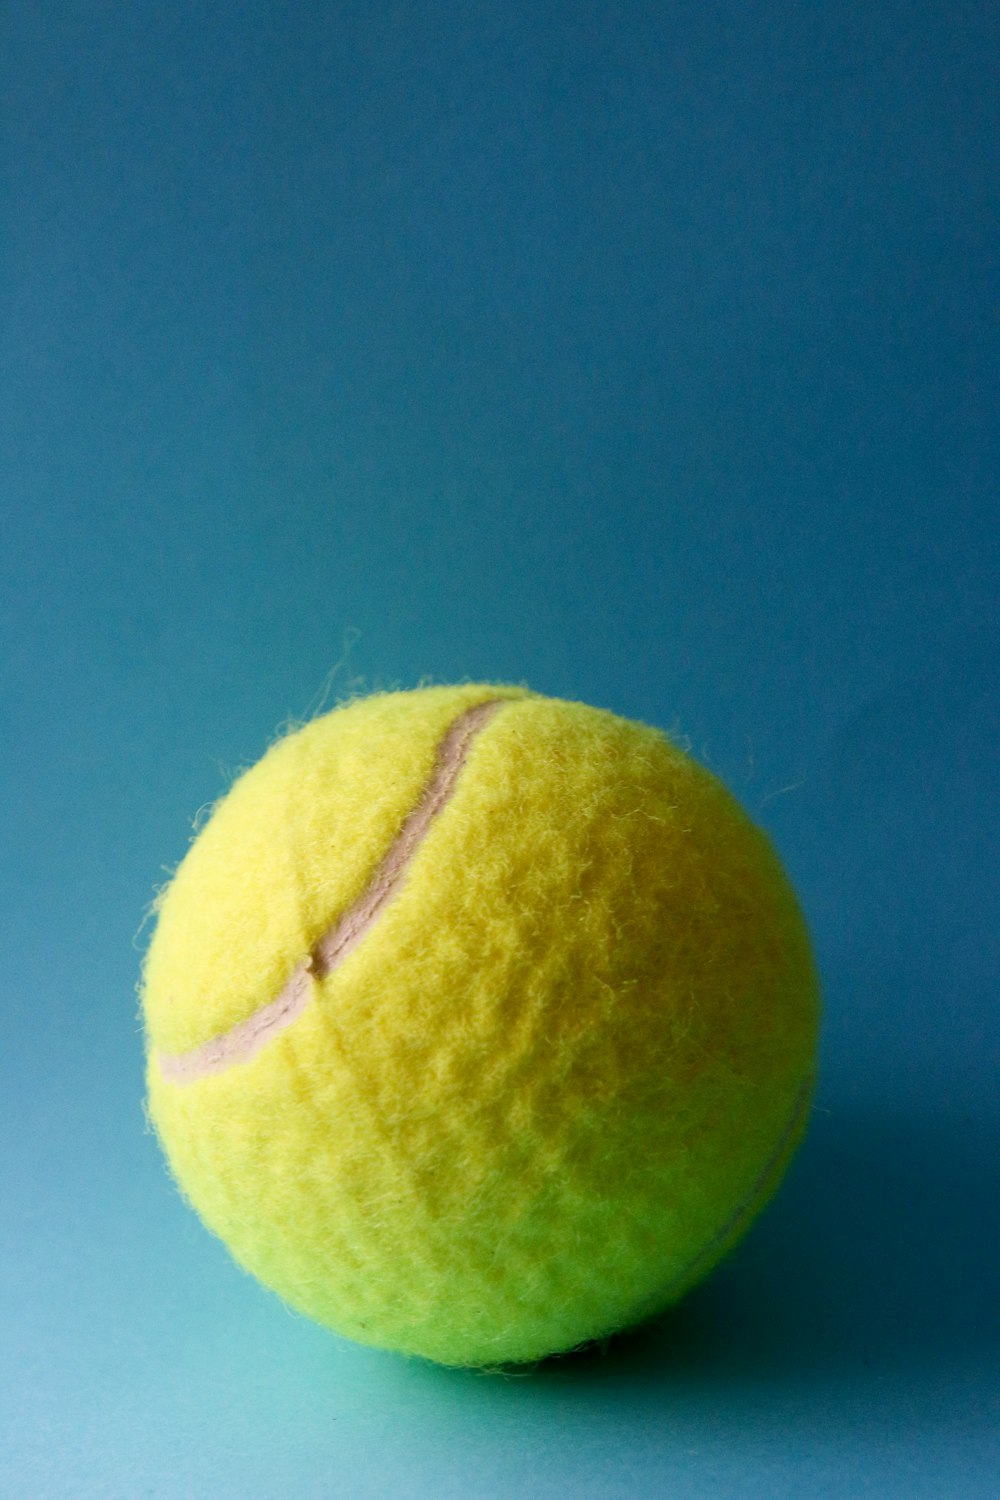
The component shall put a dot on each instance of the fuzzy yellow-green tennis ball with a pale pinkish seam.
(481, 1025)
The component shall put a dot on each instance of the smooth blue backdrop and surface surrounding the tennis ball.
(644, 353)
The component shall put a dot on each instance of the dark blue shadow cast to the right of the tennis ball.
(878, 1253)
